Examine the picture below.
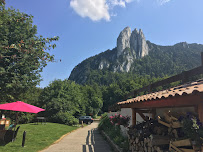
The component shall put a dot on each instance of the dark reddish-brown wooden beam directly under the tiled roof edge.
(177, 101)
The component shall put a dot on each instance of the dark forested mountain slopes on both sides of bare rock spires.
(161, 61)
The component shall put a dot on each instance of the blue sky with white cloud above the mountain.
(89, 27)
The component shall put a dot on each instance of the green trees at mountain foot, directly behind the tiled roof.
(122, 85)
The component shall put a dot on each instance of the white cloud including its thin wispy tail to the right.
(96, 9)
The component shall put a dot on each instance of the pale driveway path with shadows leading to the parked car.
(86, 139)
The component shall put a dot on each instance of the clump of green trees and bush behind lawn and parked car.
(66, 100)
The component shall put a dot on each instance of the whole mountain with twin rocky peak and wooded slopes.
(135, 55)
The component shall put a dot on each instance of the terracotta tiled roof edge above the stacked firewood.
(185, 89)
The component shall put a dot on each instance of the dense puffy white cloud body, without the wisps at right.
(94, 9)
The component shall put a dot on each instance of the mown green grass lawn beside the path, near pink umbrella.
(38, 137)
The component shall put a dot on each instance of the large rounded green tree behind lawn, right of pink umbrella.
(64, 96)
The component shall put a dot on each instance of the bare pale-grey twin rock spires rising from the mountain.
(130, 46)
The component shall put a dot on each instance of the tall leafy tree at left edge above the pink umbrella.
(22, 53)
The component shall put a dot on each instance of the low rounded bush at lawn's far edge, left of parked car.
(65, 118)
